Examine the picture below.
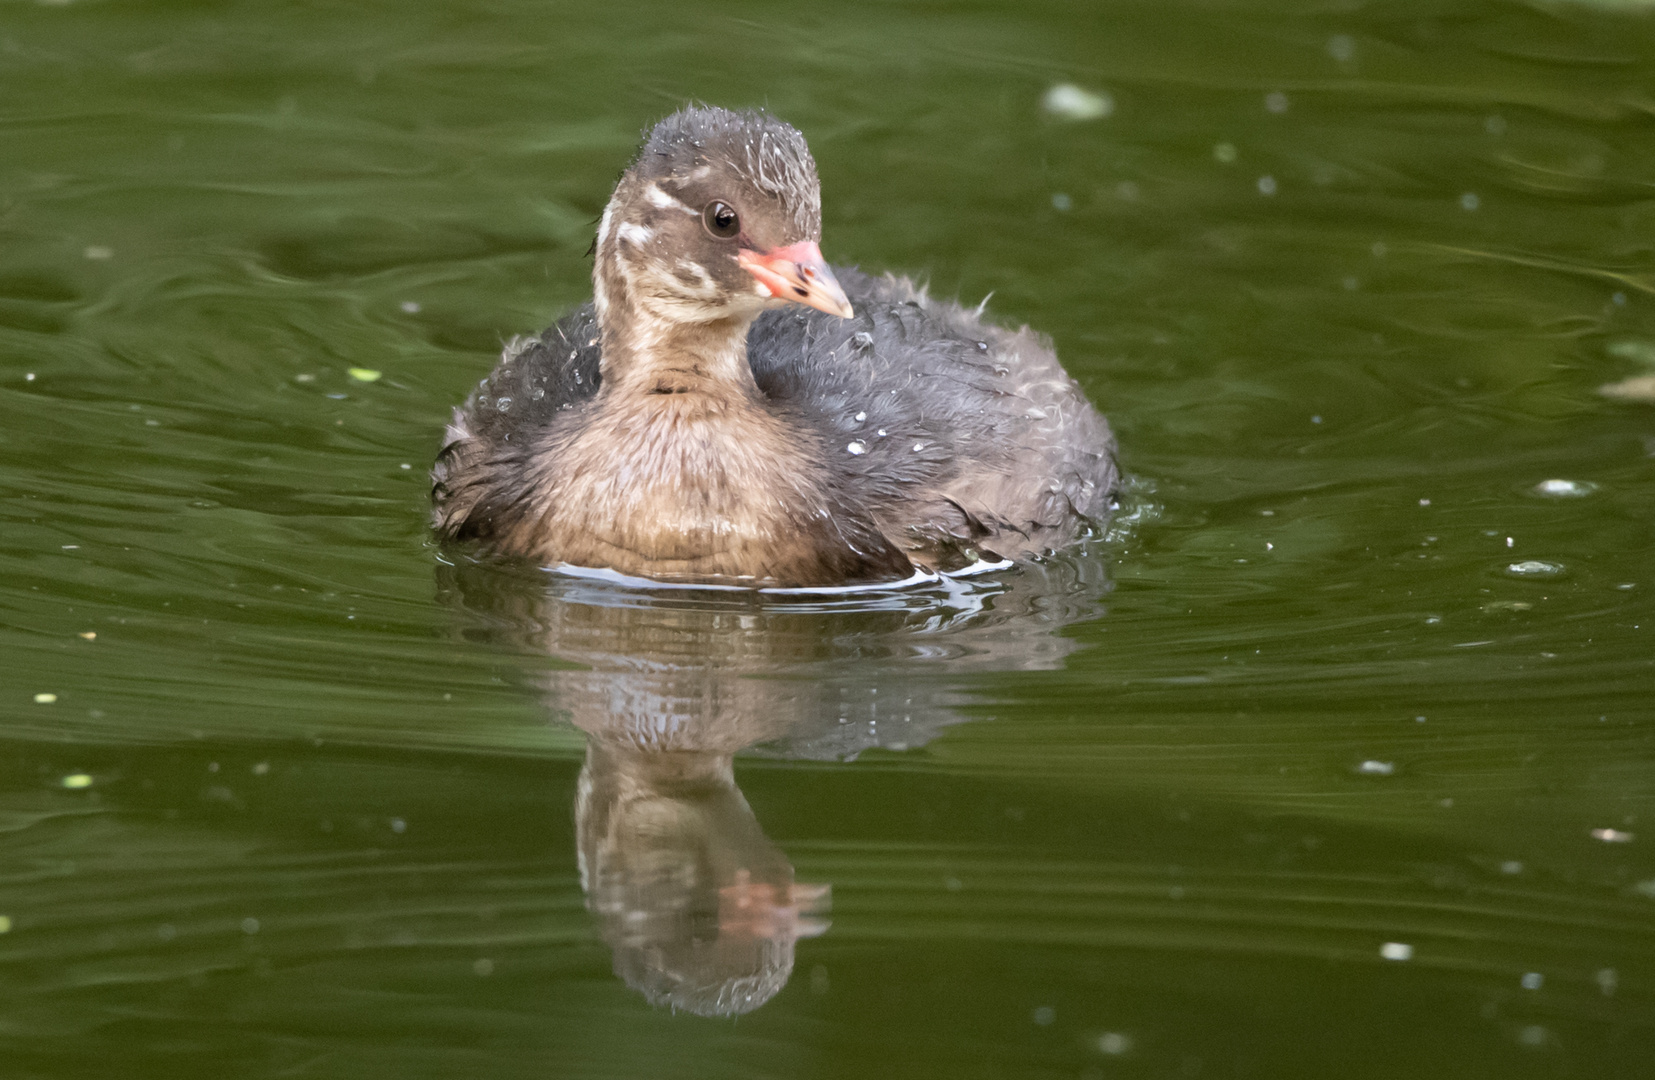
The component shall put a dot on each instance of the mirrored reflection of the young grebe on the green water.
(701, 909)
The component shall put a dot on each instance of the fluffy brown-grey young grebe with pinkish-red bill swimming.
(729, 409)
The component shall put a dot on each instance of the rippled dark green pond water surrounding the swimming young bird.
(322, 818)
